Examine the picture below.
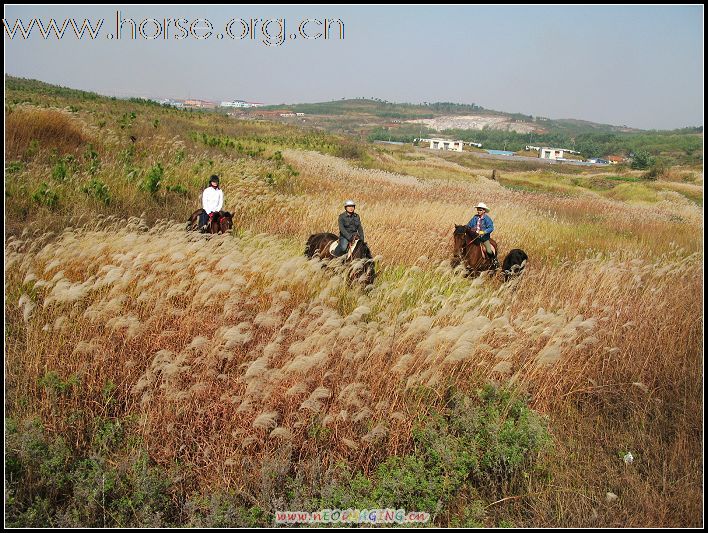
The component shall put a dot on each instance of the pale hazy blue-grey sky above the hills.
(639, 66)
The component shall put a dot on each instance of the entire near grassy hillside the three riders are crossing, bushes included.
(159, 378)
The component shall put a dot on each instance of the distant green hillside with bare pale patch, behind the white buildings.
(375, 119)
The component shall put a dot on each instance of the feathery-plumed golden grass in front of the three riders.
(227, 349)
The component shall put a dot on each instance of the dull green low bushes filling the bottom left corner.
(110, 486)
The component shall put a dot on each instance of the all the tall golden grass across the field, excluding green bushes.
(230, 349)
